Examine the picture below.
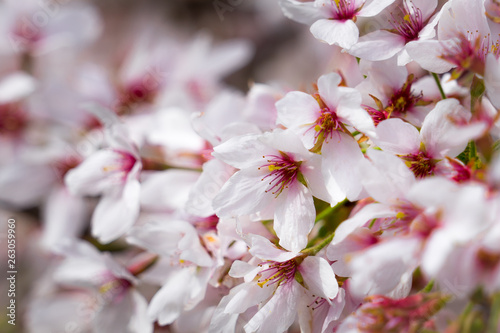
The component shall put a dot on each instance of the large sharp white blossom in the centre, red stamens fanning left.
(277, 178)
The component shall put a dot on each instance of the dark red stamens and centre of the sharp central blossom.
(283, 172)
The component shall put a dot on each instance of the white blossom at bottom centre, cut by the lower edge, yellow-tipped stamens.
(273, 285)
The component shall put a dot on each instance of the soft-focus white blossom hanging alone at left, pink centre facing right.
(114, 173)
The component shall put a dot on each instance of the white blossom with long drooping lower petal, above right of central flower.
(321, 121)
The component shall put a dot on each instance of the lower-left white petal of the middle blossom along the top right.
(378, 45)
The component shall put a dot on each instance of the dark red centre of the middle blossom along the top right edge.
(411, 24)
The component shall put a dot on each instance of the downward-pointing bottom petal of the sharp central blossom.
(294, 218)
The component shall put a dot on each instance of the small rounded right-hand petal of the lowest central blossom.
(319, 277)
